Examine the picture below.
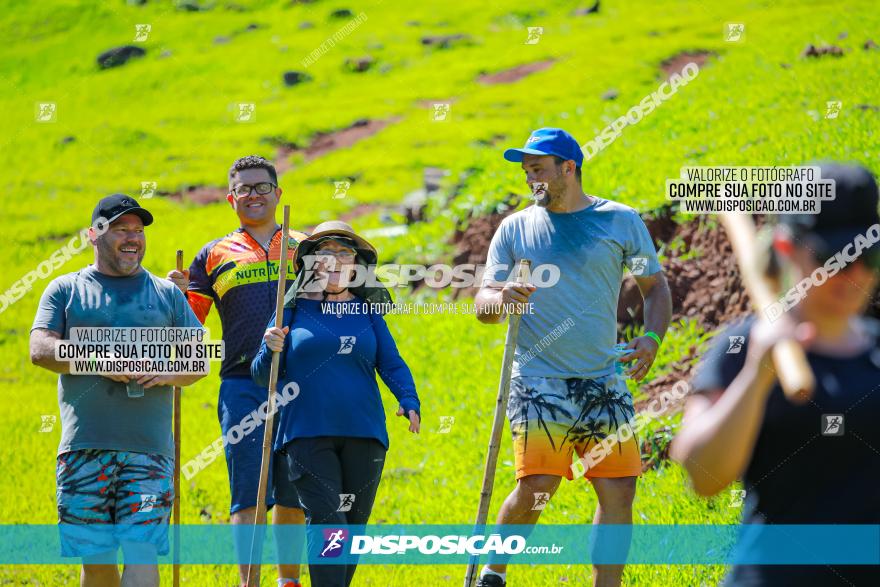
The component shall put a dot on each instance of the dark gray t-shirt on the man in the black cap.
(96, 412)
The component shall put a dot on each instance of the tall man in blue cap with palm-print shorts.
(565, 396)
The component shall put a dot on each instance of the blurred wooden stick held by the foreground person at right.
(795, 376)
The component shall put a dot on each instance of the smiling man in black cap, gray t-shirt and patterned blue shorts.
(116, 456)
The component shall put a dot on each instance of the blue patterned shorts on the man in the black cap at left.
(110, 498)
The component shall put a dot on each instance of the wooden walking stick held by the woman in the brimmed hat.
(260, 515)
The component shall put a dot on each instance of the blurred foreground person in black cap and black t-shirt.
(816, 464)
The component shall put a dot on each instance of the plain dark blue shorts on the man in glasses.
(239, 396)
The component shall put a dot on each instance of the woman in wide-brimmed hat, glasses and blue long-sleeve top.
(332, 440)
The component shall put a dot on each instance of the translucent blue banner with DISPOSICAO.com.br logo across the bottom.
(444, 544)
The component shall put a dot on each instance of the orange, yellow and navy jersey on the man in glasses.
(240, 277)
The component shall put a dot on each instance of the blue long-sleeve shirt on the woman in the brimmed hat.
(334, 360)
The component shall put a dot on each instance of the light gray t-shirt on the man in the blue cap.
(573, 328)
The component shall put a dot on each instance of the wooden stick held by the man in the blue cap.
(497, 422)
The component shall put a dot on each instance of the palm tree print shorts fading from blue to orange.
(552, 419)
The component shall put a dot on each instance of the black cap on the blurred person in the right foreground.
(852, 212)
